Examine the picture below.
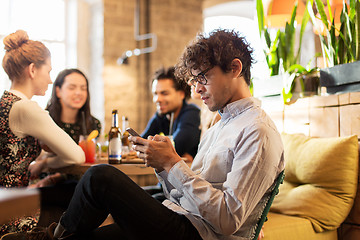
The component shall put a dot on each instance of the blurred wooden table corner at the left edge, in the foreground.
(18, 202)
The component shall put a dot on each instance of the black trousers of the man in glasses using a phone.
(104, 189)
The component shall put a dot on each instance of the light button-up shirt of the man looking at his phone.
(237, 162)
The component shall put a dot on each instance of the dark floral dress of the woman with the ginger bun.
(16, 154)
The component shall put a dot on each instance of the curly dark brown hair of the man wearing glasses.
(218, 49)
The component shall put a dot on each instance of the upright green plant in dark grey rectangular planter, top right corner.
(340, 47)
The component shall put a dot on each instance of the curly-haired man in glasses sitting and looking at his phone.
(224, 192)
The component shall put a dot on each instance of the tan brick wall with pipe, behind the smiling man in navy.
(127, 86)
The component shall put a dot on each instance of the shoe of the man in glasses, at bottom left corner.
(35, 234)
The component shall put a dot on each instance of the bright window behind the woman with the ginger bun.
(52, 22)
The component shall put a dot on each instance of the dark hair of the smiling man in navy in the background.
(169, 73)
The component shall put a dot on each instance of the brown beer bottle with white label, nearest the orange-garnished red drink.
(115, 145)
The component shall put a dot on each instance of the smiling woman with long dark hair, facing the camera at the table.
(69, 105)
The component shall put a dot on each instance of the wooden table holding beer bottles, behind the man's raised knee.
(134, 168)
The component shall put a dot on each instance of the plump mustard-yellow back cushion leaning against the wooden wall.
(320, 179)
